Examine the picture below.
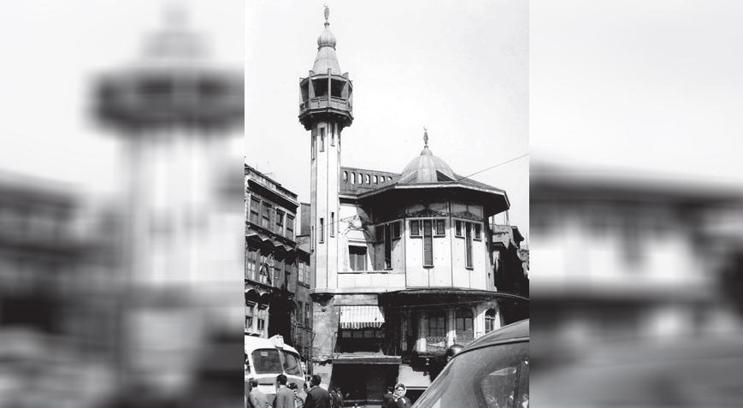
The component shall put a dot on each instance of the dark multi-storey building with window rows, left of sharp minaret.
(277, 276)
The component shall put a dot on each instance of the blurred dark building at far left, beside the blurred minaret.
(58, 310)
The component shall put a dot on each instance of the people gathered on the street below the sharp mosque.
(314, 396)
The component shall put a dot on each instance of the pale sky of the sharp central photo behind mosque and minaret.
(458, 68)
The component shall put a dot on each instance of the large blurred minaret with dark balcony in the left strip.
(177, 116)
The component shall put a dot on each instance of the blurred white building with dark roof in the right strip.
(620, 258)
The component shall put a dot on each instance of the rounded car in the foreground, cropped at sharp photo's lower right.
(492, 376)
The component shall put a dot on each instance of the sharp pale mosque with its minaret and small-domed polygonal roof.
(402, 261)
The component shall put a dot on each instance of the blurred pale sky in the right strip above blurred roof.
(647, 87)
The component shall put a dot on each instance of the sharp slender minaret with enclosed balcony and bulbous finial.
(325, 109)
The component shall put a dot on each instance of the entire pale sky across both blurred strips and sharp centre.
(651, 86)
